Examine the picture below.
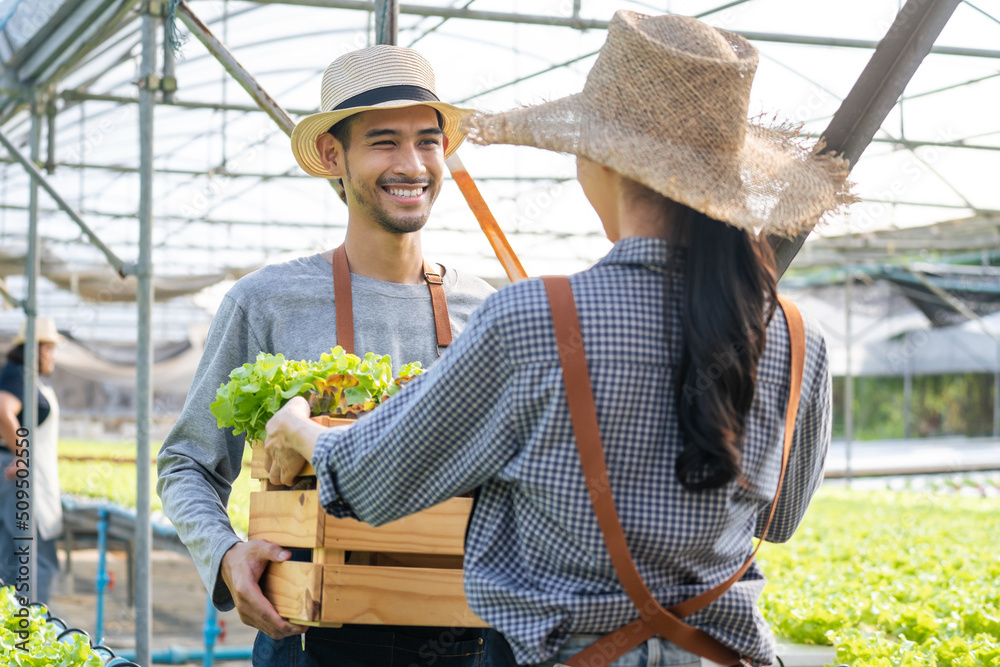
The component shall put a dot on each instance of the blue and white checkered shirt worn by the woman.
(492, 414)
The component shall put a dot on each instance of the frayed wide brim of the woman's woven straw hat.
(772, 183)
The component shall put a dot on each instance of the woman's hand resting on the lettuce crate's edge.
(290, 440)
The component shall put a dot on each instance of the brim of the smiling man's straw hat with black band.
(309, 128)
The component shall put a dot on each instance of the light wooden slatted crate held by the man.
(408, 572)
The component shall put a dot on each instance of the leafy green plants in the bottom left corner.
(42, 649)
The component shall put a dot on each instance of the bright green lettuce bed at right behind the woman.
(892, 579)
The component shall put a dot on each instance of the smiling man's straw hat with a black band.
(377, 77)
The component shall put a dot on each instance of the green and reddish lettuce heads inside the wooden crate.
(339, 385)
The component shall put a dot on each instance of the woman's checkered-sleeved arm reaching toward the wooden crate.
(445, 433)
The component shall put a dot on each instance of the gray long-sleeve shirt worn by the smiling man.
(289, 309)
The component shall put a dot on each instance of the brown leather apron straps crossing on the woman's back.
(654, 619)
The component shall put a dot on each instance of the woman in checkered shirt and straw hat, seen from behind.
(630, 428)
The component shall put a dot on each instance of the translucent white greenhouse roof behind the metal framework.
(229, 195)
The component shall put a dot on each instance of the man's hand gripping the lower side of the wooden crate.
(242, 567)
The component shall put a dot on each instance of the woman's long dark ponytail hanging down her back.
(730, 293)
